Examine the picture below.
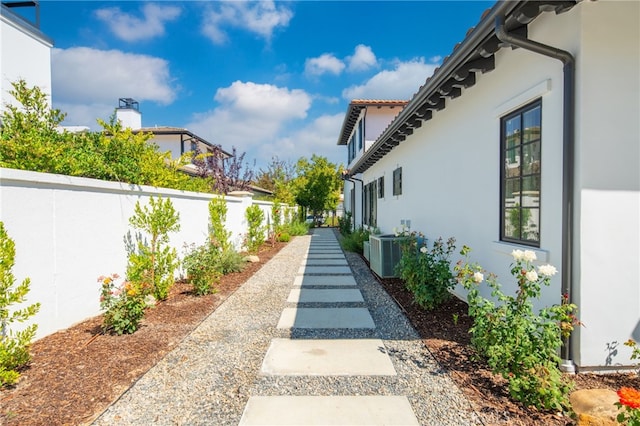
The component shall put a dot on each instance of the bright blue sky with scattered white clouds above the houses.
(270, 78)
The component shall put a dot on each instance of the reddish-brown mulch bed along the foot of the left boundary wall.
(75, 374)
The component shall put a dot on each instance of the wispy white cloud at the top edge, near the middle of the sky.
(260, 17)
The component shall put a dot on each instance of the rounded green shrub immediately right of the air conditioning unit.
(427, 273)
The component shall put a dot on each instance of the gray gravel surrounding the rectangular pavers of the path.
(209, 377)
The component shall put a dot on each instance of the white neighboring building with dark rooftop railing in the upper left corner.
(25, 52)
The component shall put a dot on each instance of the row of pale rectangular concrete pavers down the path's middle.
(325, 279)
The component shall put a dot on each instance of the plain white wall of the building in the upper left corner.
(24, 54)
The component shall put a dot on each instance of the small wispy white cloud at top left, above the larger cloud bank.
(132, 28)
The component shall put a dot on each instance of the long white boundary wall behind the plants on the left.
(68, 231)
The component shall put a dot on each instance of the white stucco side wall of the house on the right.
(451, 170)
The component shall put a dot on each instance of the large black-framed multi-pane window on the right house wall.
(520, 175)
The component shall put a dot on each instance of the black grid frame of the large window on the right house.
(512, 152)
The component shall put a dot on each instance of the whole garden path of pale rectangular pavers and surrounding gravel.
(310, 339)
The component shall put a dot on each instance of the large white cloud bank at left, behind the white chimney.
(86, 80)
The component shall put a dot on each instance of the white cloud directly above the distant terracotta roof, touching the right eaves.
(399, 83)
